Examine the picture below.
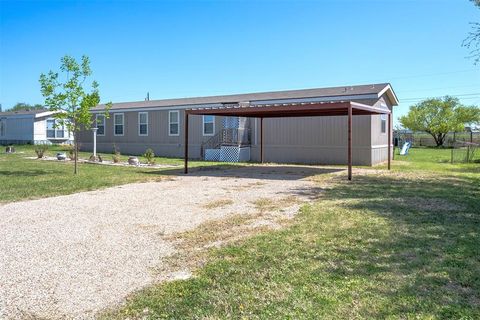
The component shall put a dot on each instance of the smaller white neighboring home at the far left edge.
(31, 126)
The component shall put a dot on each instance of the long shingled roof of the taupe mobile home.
(359, 90)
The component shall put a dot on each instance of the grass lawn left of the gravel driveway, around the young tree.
(22, 178)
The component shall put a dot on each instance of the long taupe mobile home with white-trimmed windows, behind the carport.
(132, 127)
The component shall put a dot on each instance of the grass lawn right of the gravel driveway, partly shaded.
(398, 245)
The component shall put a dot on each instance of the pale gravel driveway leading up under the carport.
(71, 256)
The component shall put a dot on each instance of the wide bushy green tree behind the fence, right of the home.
(440, 116)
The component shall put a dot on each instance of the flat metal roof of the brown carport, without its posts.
(297, 109)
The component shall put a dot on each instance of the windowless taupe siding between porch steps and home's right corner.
(314, 140)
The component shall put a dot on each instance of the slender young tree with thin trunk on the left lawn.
(69, 97)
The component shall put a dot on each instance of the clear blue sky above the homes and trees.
(177, 49)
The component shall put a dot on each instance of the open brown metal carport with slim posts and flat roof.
(296, 109)
